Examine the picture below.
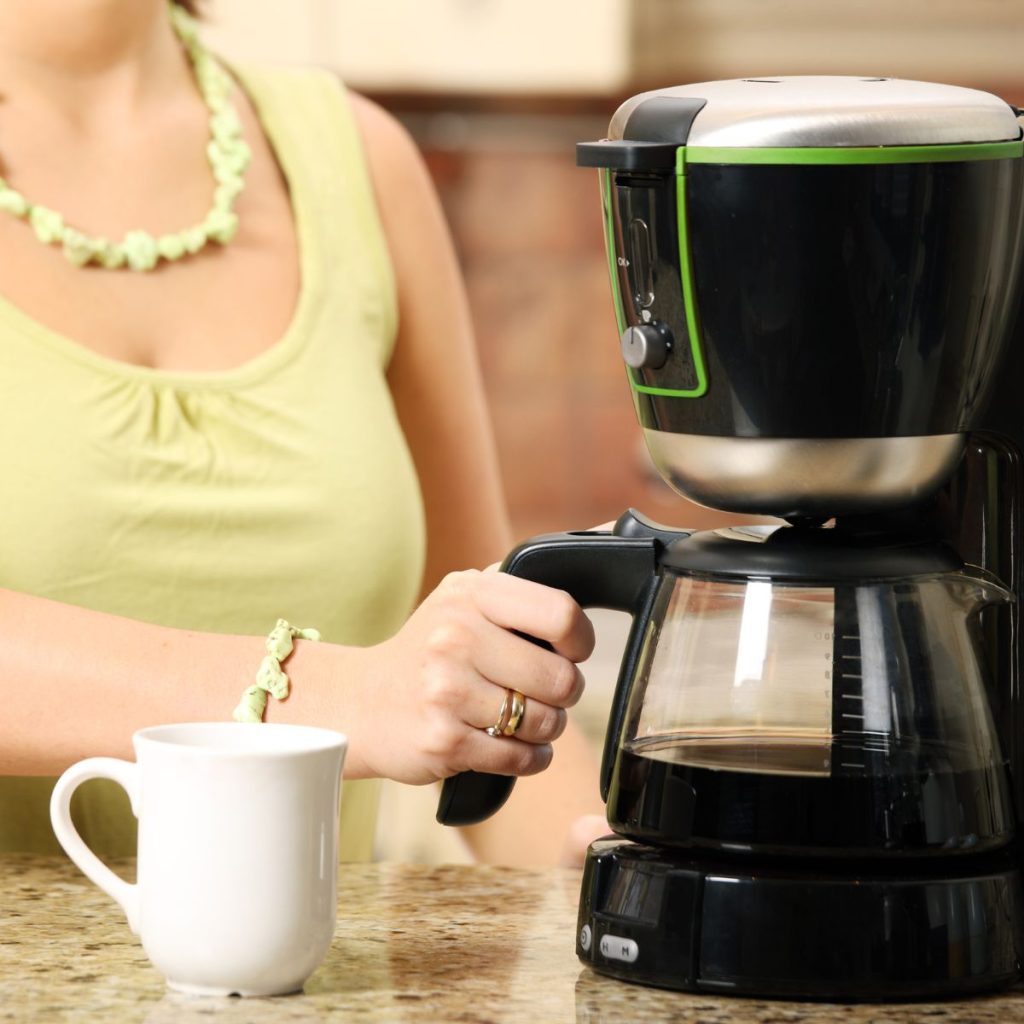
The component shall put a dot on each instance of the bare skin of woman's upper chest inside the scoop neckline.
(208, 312)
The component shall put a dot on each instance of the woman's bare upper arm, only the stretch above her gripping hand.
(435, 377)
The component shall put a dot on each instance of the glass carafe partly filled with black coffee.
(786, 718)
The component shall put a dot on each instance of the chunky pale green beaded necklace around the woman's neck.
(229, 156)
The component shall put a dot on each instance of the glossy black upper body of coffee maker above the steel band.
(875, 298)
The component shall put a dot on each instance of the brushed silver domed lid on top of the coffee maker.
(834, 111)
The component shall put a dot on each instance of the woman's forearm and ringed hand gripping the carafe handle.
(78, 684)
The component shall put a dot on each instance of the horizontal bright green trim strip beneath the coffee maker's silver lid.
(851, 155)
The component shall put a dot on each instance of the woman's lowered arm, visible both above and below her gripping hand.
(440, 399)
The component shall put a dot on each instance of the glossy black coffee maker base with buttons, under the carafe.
(843, 933)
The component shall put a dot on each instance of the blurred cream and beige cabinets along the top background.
(611, 47)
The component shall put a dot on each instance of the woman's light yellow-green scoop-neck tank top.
(224, 501)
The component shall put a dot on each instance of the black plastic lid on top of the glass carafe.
(806, 554)
